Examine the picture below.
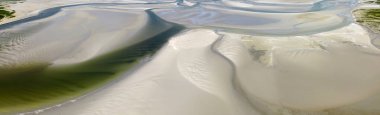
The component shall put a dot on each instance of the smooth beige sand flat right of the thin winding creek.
(317, 72)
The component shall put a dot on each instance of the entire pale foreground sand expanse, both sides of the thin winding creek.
(201, 72)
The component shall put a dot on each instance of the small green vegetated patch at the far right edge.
(369, 18)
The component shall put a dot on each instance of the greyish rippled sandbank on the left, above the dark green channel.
(73, 36)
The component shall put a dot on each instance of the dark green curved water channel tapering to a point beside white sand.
(37, 89)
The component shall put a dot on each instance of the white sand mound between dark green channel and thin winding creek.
(186, 77)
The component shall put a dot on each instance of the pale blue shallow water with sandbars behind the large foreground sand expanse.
(255, 18)
